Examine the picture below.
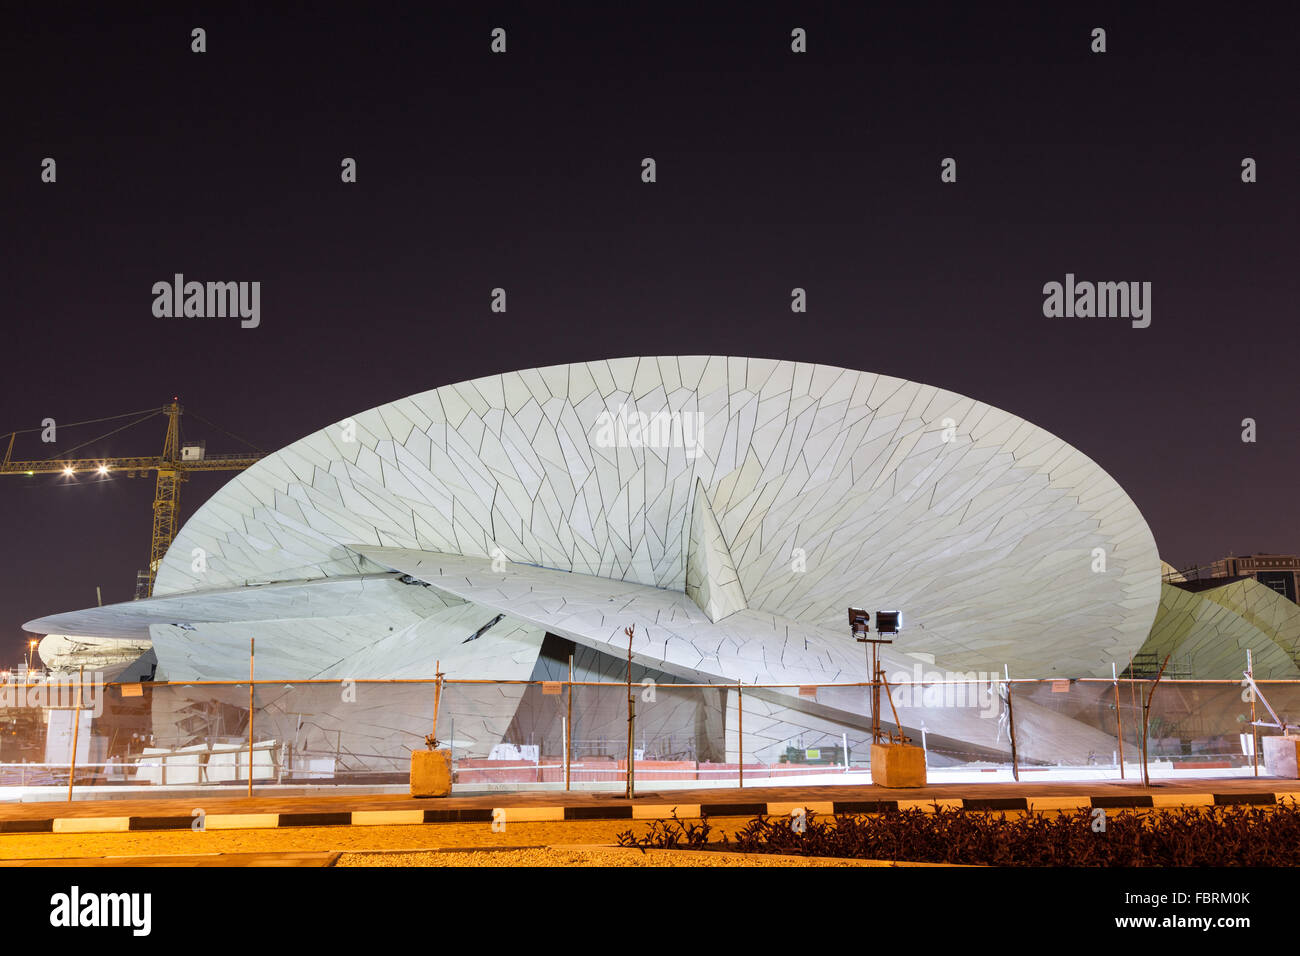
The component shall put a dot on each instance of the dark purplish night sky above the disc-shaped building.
(523, 171)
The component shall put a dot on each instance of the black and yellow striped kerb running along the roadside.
(543, 815)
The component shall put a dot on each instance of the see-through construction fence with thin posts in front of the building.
(63, 738)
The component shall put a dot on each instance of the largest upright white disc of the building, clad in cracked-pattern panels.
(829, 487)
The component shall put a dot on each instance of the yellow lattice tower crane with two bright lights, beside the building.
(174, 468)
